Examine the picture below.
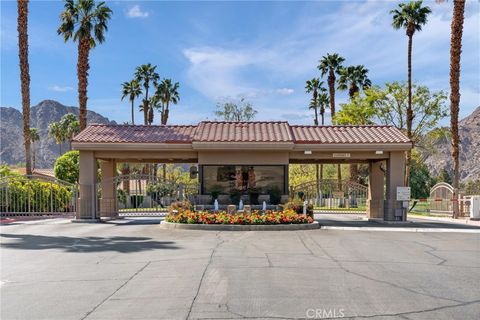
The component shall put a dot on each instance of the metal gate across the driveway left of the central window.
(141, 195)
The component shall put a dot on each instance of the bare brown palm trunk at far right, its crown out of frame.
(455, 53)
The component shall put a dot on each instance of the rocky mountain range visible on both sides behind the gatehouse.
(48, 111)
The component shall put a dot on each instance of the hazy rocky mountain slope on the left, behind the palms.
(46, 112)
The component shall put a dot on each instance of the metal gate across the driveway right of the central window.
(333, 195)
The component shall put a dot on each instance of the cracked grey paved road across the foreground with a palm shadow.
(129, 270)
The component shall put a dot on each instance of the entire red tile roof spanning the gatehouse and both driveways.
(258, 131)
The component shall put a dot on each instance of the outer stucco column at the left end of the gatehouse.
(87, 180)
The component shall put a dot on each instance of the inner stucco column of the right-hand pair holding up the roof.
(376, 196)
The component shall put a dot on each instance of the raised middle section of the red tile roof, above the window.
(216, 131)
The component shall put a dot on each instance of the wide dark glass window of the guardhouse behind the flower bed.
(243, 178)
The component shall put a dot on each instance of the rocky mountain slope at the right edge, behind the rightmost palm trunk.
(469, 131)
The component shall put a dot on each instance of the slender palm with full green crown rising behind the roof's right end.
(411, 16)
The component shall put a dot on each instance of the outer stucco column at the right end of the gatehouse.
(395, 178)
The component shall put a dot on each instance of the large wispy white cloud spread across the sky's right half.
(360, 31)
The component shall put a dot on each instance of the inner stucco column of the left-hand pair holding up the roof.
(108, 201)
